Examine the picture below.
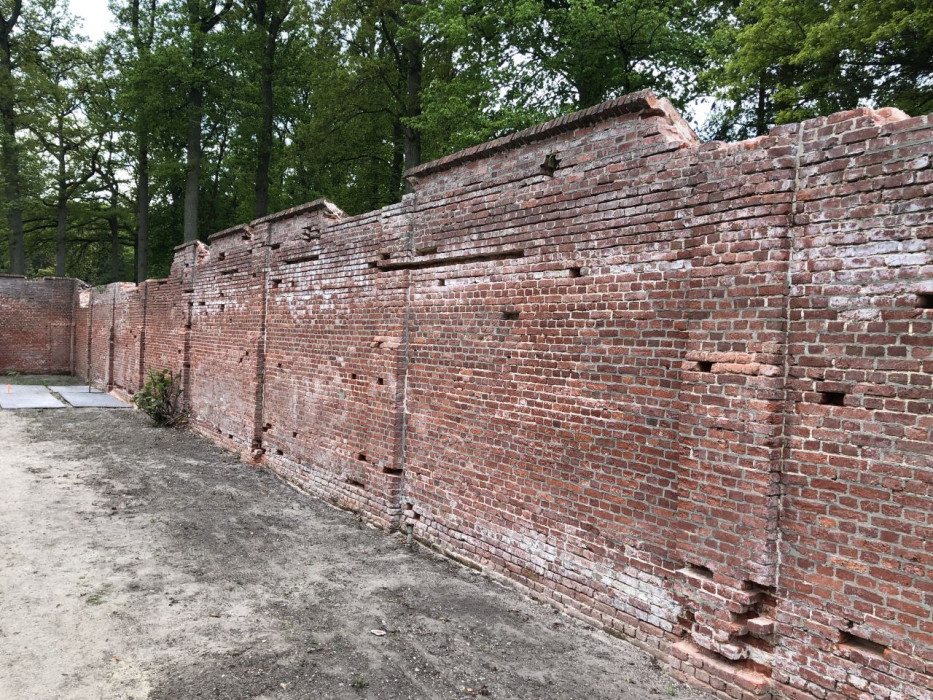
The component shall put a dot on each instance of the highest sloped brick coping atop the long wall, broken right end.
(644, 102)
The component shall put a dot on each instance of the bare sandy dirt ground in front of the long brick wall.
(144, 563)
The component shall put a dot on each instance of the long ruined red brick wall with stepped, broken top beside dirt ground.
(681, 390)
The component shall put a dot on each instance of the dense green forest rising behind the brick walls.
(190, 116)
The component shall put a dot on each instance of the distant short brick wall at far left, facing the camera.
(36, 322)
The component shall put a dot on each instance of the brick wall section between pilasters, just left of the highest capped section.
(334, 371)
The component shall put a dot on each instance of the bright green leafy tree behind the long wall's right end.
(780, 61)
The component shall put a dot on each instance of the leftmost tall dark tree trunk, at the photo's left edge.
(8, 146)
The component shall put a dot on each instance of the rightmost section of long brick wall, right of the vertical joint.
(856, 593)
